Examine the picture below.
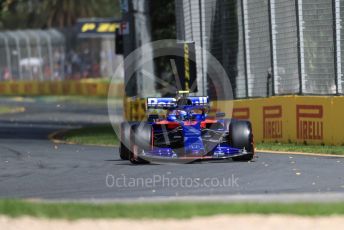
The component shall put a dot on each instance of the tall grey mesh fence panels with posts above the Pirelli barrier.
(270, 47)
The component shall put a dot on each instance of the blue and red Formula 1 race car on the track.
(185, 132)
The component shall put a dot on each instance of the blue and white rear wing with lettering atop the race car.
(173, 103)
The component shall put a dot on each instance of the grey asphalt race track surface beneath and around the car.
(31, 166)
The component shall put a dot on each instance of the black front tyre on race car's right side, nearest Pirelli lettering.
(241, 136)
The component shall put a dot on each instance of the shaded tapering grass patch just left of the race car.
(97, 135)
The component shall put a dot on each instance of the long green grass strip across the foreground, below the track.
(15, 208)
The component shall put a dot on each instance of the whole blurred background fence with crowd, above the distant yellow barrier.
(44, 55)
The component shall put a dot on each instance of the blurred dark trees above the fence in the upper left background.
(21, 14)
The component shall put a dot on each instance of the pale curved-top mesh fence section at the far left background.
(32, 55)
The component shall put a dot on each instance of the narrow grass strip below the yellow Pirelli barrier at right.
(326, 149)
